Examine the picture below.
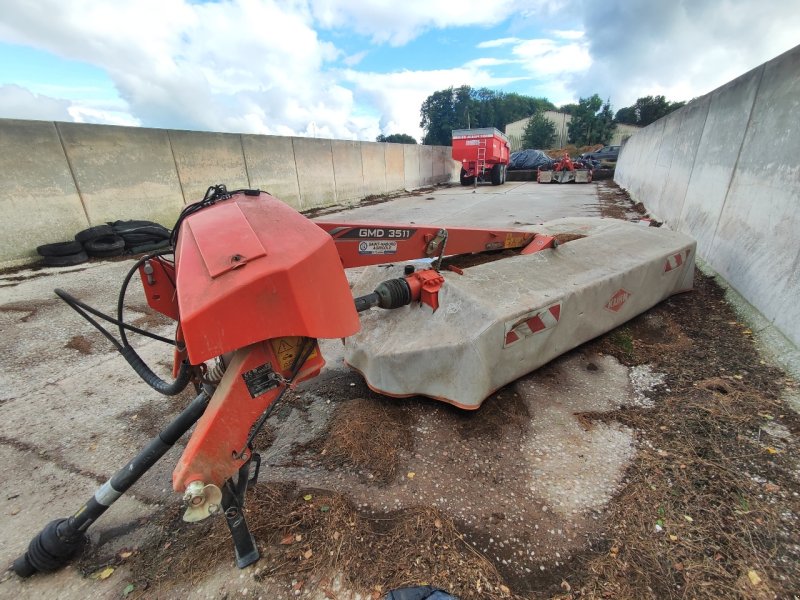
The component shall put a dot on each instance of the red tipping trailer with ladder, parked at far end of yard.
(483, 153)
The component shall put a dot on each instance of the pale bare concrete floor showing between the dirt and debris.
(72, 411)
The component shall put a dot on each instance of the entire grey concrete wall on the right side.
(726, 169)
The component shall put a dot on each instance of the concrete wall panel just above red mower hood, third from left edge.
(205, 158)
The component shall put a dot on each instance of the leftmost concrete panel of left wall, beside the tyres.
(38, 198)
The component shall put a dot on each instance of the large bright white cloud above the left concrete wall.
(239, 65)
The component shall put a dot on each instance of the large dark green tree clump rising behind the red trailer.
(464, 107)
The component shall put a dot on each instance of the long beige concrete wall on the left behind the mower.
(59, 178)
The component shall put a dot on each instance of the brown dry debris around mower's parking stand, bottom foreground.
(311, 537)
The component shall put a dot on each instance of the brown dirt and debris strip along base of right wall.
(711, 505)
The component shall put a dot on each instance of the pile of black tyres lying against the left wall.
(105, 241)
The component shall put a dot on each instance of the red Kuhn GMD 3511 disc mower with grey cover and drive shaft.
(252, 285)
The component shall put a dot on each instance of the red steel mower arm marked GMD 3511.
(361, 244)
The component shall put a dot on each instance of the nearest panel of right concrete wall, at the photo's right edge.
(757, 239)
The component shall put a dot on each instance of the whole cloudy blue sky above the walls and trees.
(351, 69)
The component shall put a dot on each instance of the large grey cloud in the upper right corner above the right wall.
(679, 49)
